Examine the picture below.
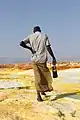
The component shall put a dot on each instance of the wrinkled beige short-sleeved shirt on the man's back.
(38, 42)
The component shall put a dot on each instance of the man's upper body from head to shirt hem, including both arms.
(39, 45)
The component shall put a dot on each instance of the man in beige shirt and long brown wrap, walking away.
(39, 44)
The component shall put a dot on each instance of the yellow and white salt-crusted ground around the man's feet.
(19, 101)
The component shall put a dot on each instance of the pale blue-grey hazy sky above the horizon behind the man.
(60, 19)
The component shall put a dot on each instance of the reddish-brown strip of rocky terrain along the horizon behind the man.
(26, 66)
